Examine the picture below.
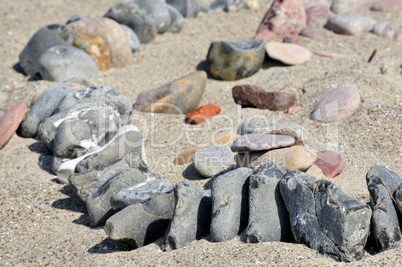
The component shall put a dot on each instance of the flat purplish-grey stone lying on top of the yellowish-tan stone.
(261, 142)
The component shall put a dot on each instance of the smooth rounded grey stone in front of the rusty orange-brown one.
(61, 62)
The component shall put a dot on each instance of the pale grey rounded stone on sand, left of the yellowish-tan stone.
(211, 160)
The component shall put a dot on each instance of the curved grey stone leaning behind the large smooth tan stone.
(127, 12)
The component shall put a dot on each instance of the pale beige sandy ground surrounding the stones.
(43, 223)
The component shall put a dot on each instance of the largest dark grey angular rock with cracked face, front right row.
(325, 218)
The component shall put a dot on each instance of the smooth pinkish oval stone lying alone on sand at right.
(337, 105)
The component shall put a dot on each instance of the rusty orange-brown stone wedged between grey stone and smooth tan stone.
(94, 46)
